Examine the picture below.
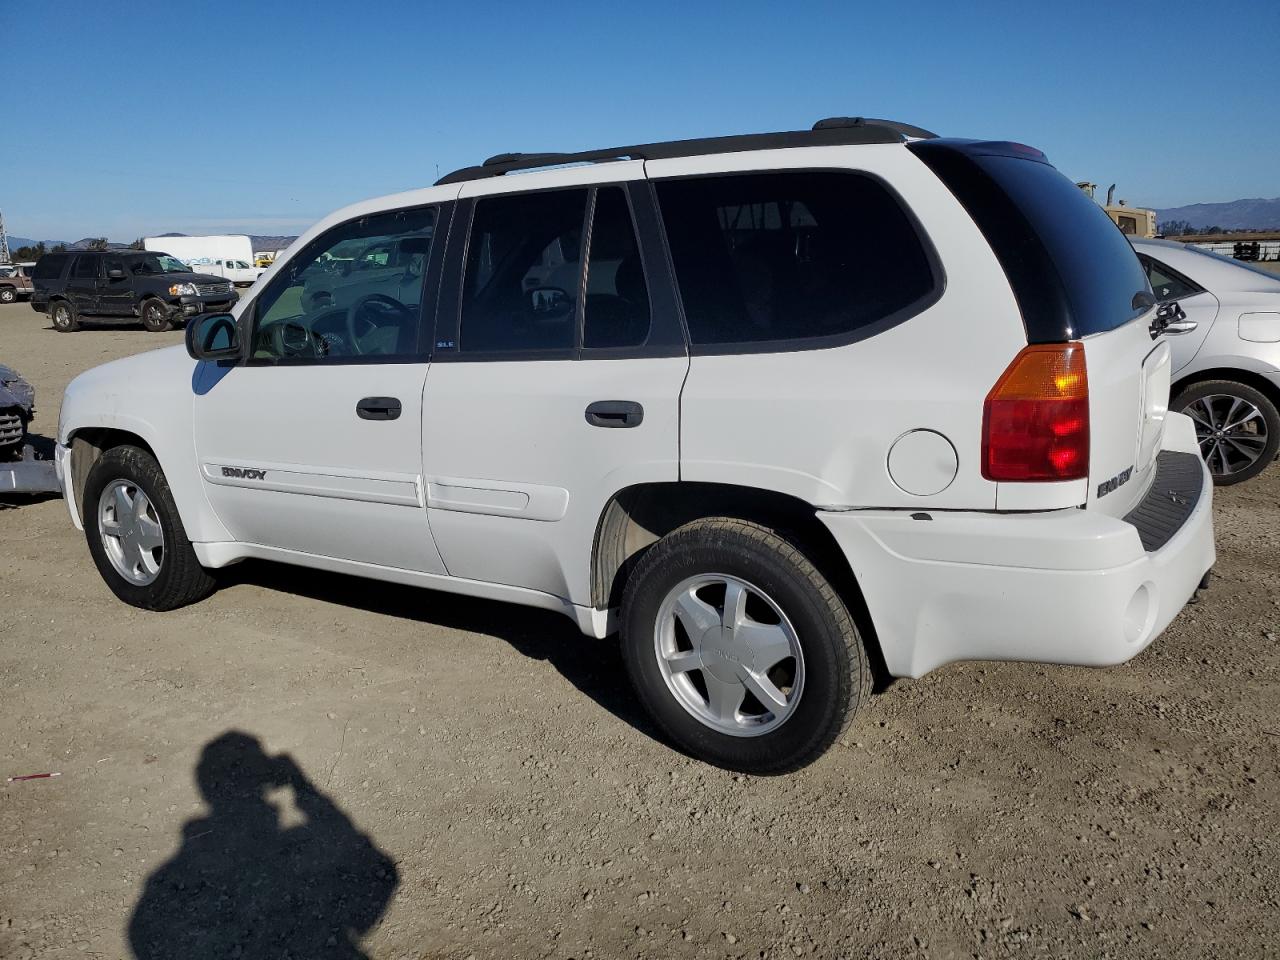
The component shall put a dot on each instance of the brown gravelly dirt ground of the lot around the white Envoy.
(438, 778)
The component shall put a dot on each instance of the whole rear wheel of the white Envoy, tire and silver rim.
(824, 687)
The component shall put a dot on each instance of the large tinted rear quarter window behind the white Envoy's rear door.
(803, 259)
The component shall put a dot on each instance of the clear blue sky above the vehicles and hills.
(263, 117)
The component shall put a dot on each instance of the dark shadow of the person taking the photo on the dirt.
(245, 885)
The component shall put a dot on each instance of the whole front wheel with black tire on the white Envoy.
(177, 579)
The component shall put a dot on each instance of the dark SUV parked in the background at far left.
(158, 289)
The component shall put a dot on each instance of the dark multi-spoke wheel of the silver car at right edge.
(1238, 428)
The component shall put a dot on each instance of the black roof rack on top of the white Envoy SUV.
(834, 131)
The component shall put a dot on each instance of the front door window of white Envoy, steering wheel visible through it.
(356, 291)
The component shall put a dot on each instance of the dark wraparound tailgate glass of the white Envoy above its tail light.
(1071, 268)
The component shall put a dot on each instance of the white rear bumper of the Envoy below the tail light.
(1064, 587)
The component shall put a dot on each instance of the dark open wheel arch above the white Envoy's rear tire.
(638, 516)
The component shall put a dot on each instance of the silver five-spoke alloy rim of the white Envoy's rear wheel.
(729, 655)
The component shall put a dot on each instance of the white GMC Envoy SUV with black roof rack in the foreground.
(784, 410)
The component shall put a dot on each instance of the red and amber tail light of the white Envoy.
(1036, 420)
